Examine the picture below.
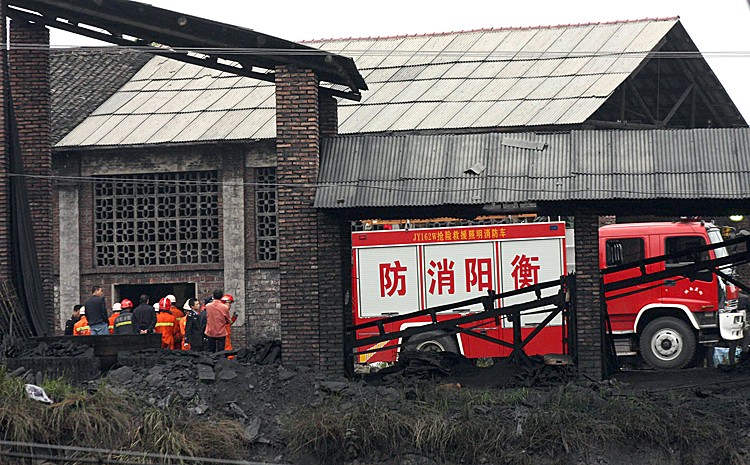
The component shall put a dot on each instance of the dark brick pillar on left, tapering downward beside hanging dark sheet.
(29, 72)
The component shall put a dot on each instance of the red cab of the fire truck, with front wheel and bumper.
(666, 321)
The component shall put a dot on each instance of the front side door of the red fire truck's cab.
(699, 294)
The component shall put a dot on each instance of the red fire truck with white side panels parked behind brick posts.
(401, 271)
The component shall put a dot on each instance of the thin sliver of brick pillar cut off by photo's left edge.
(4, 168)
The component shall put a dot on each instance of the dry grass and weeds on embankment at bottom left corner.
(109, 420)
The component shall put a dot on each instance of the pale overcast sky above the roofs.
(720, 28)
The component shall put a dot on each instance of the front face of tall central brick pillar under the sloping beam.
(297, 158)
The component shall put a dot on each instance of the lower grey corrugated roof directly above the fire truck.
(431, 170)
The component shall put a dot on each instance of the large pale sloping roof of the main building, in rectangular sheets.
(518, 72)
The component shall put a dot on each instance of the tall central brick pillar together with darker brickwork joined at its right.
(310, 268)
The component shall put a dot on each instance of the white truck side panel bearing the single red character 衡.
(529, 262)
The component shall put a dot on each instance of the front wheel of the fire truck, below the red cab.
(668, 343)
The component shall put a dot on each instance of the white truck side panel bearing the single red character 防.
(388, 280)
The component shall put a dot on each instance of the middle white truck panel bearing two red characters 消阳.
(456, 272)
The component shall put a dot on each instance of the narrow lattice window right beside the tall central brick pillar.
(266, 224)
